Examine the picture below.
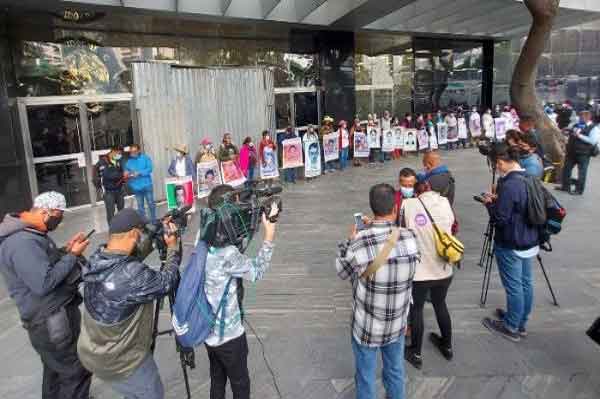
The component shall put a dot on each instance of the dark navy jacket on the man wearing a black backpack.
(509, 214)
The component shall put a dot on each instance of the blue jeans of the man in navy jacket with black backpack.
(515, 273)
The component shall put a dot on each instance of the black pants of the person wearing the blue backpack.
(229, 360)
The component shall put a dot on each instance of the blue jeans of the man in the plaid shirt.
(366, 367)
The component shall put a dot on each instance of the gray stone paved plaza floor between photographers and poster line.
(301, 311)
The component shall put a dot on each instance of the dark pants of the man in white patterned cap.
(64, 376)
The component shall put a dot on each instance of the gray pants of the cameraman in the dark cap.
(144, 383)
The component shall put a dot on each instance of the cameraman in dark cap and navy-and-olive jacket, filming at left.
(119, 295)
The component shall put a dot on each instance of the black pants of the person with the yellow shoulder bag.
(438, 290)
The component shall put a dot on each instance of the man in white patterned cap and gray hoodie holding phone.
(42, 279)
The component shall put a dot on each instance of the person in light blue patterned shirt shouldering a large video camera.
(227, 346)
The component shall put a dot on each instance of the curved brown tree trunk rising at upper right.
(522, 89)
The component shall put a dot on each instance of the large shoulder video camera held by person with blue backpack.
(238, 218)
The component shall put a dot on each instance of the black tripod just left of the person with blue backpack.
(186, 355)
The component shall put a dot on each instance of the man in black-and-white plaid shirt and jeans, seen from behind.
(380, 260)
